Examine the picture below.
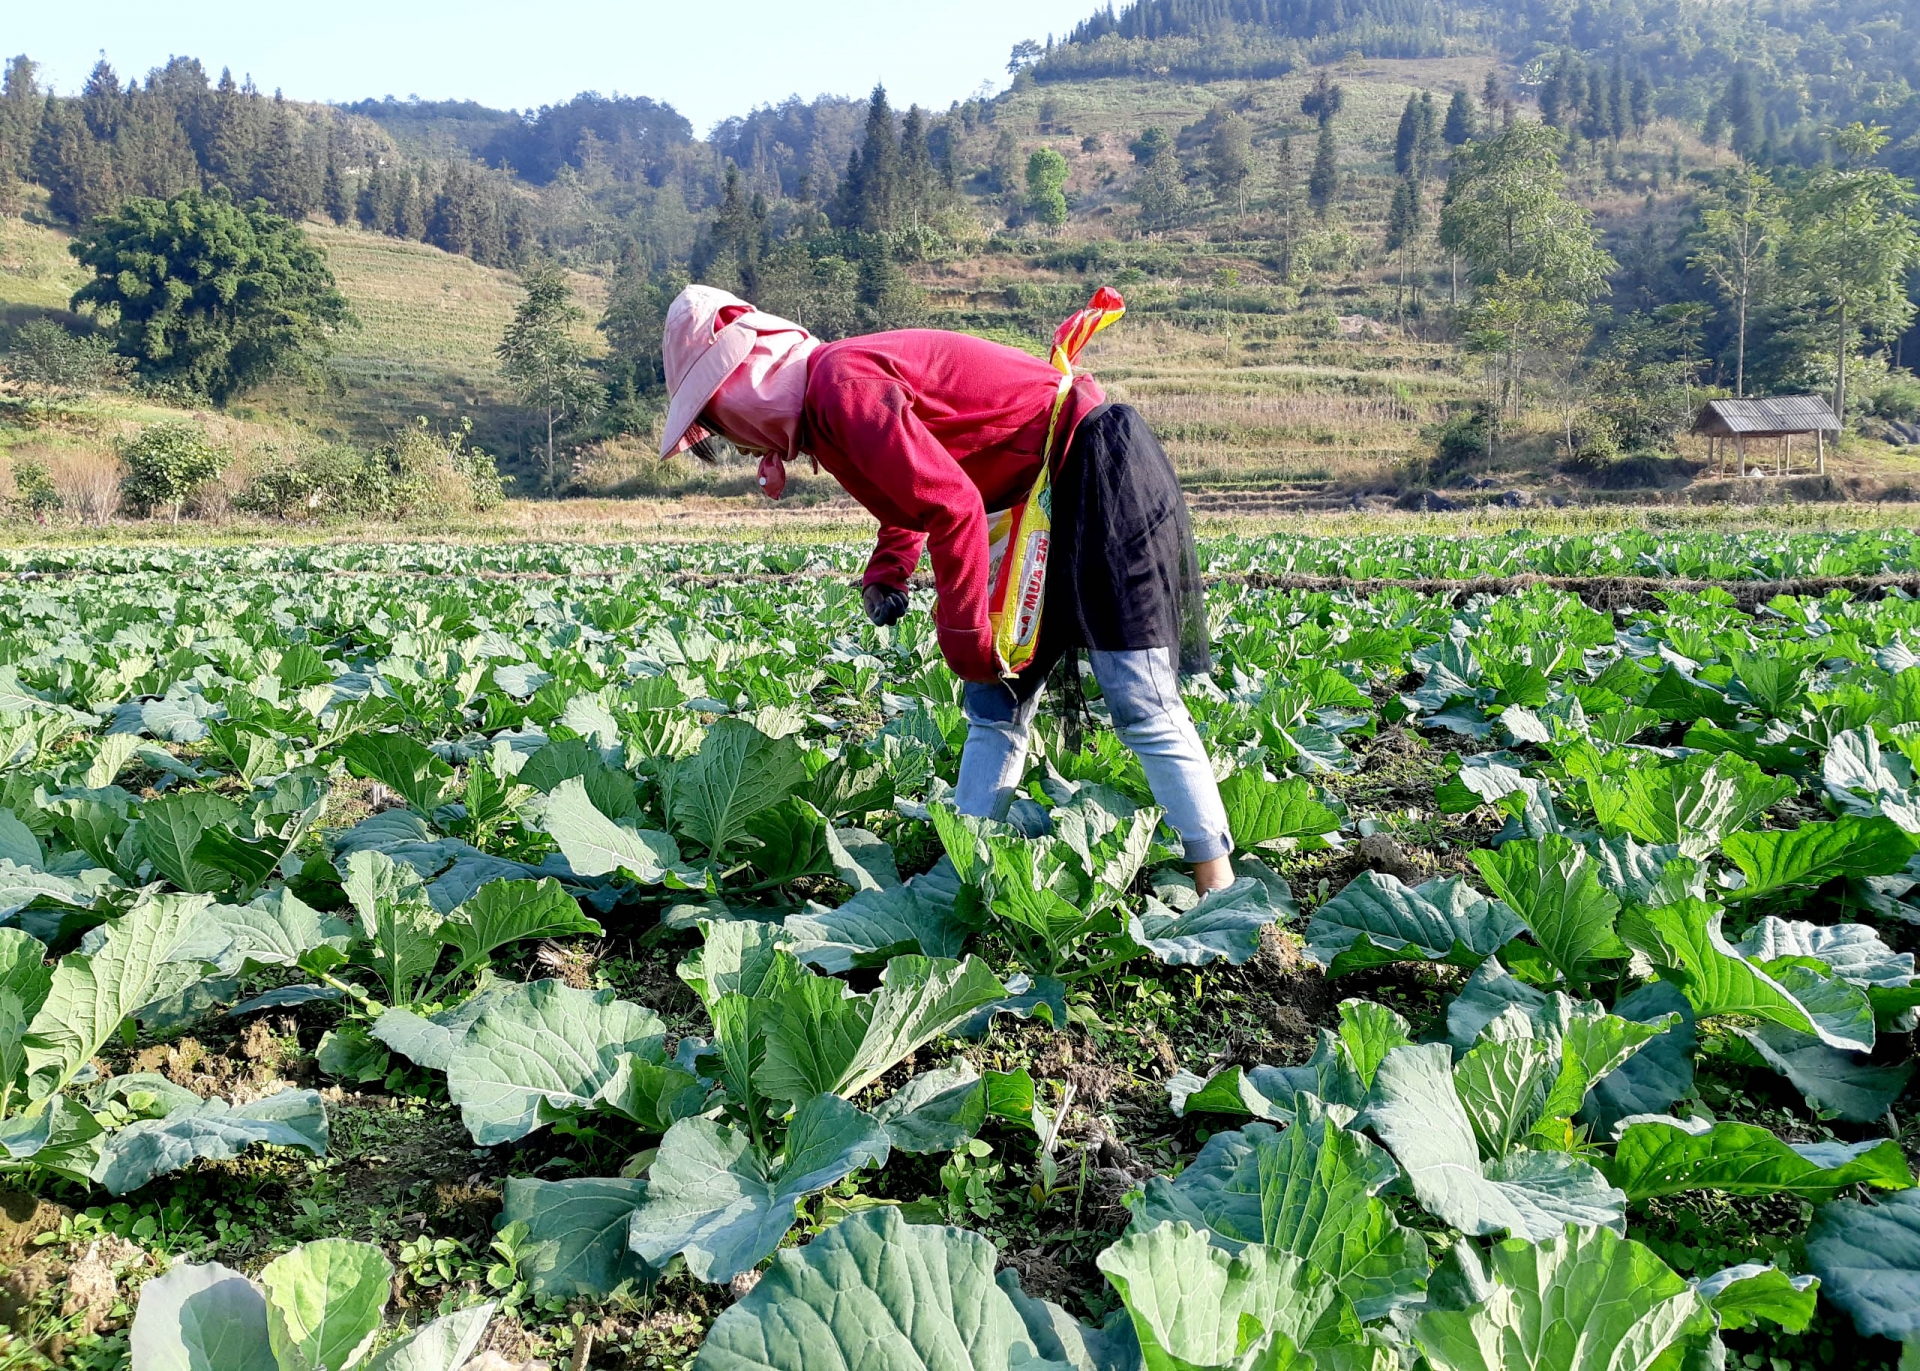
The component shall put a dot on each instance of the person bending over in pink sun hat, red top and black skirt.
(930, 431)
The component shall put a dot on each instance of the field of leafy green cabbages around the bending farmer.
(433, 957)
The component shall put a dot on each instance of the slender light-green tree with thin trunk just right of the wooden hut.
(1854, 245)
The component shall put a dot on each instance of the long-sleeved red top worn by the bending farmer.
(930, 431)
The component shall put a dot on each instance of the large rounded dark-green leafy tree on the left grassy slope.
(208, 295)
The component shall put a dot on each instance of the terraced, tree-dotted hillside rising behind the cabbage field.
(1268, 185)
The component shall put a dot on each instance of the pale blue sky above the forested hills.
(708, 59)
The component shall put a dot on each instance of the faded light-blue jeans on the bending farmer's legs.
(1143, 696)
